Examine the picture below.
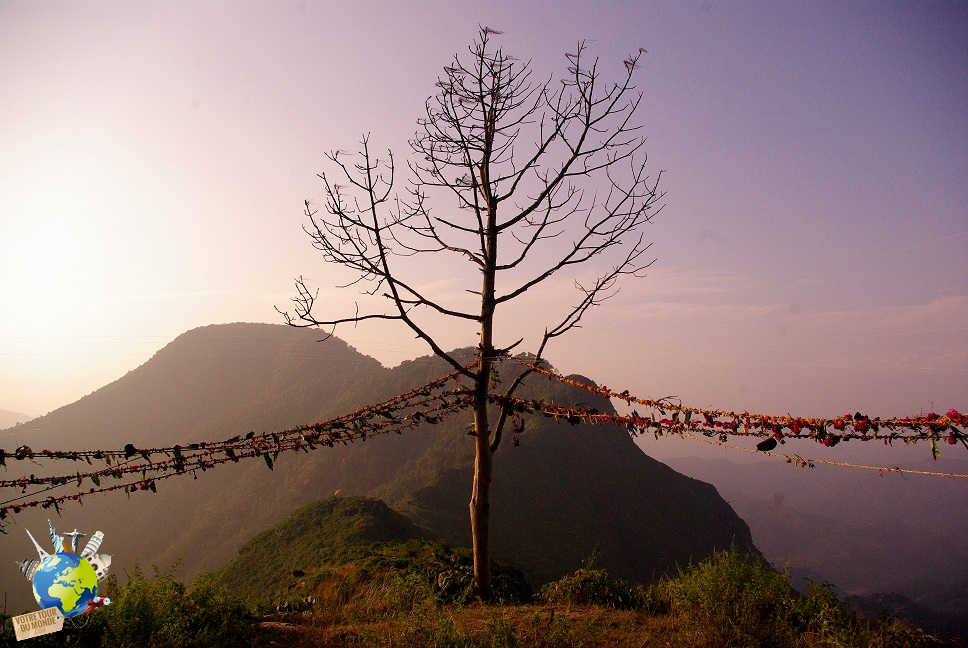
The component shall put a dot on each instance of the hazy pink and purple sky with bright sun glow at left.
(811, 260)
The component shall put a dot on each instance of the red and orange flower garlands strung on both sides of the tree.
(433, 402)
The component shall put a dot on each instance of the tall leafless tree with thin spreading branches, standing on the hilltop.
(507, 151)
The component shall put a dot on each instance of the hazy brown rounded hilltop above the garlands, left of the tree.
(208, 382)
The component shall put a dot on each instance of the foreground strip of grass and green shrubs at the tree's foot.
(417, 594)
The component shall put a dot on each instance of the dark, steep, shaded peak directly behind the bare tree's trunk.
(568, 491)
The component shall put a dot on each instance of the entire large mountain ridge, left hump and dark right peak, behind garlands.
(563, 493)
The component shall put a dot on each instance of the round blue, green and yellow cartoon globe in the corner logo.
(66, 581)
